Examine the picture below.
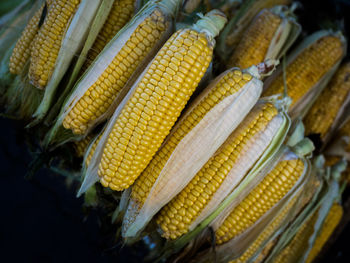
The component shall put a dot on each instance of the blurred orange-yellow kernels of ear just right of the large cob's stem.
(255, 43)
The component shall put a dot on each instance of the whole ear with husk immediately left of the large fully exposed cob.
(103, 86)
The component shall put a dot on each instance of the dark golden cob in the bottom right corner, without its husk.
(332, 220)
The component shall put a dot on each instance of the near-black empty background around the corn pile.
(41, 219)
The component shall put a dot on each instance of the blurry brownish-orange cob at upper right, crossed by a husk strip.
(308, 68)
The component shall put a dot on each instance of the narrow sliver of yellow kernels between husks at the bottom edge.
(268, 232)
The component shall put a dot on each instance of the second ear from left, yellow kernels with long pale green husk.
(68, 29)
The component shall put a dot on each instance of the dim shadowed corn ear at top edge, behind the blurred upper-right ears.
(236, 27)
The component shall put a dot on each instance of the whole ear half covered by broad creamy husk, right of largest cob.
(219, 109)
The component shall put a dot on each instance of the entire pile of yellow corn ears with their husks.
(118, 84)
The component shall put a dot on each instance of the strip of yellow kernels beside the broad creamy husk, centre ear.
(231, 83)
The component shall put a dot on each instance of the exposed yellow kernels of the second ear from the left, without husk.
(47, 43)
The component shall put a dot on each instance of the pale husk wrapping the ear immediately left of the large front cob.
(58, 134)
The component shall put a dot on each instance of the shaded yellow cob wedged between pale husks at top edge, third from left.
(120, 14)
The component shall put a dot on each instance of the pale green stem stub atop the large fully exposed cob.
(211, 23)
